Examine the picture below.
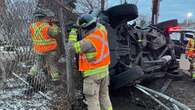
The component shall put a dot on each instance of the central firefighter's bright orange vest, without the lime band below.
(99, 40)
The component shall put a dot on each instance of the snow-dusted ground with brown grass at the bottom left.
(12, 97)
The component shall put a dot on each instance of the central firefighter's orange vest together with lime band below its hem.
(101, 57)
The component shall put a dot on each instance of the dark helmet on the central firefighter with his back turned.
(87, 21)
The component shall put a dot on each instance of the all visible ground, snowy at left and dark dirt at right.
(12, 97)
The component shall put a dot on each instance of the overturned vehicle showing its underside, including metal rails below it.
(139, 54)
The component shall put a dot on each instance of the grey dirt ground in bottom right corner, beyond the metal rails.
(180, 89)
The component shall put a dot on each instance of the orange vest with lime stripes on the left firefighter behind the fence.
(42, 42)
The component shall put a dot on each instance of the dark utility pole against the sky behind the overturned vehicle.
(155, 11)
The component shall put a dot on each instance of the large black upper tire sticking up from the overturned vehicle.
(120, 13)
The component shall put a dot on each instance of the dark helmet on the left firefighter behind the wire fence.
(41, 13)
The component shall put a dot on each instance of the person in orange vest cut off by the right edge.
(190, 52)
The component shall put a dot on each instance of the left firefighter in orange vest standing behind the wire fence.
(43, 33)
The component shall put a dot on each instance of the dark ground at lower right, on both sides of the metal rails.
(182, 90)
